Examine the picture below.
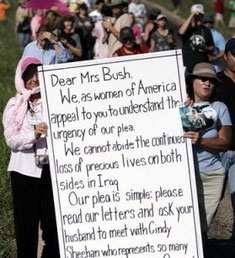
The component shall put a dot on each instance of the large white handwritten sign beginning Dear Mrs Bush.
(123, 177)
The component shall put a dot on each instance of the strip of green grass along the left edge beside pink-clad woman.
(9, 55)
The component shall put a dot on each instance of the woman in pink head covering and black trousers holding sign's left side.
(25, 134)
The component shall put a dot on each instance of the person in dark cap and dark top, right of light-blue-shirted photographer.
(69, 39)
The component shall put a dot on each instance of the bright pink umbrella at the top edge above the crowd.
(48, 4)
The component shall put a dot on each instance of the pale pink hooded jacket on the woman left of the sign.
(19, 134)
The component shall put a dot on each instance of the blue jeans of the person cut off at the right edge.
(228, 161)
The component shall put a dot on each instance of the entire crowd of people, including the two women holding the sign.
(105, 29)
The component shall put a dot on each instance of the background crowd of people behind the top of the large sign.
(92, 30)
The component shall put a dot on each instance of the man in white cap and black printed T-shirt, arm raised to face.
(197, 40)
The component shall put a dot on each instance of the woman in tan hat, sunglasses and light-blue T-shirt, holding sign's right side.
(207, 123)
